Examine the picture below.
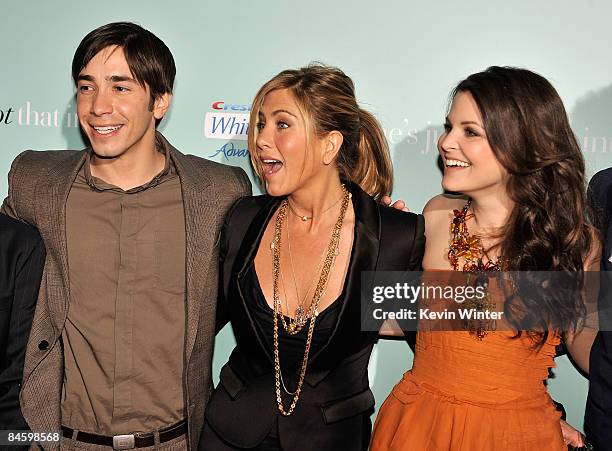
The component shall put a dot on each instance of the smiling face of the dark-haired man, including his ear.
(114, 109)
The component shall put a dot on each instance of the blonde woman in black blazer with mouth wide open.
(291, 266)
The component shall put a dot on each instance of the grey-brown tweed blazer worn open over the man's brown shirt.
(39, 183)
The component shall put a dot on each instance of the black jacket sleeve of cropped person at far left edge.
(22, 257)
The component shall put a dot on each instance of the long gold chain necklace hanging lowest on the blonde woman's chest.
(318, 293)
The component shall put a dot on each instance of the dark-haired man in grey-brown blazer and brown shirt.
(119, 354)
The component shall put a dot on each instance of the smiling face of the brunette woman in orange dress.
(470, 166)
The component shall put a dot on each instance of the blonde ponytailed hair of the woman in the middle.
(326, 98)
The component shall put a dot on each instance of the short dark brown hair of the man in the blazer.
(147, 56)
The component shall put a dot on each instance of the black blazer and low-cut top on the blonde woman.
(336, 402)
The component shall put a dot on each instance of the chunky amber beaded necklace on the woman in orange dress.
(463, 245)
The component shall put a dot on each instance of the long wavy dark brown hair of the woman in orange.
(549, 228)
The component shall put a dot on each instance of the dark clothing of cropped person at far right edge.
(598, 414)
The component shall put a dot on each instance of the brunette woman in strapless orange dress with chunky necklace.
(509, 150)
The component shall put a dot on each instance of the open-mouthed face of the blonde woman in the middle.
(286, 157)
